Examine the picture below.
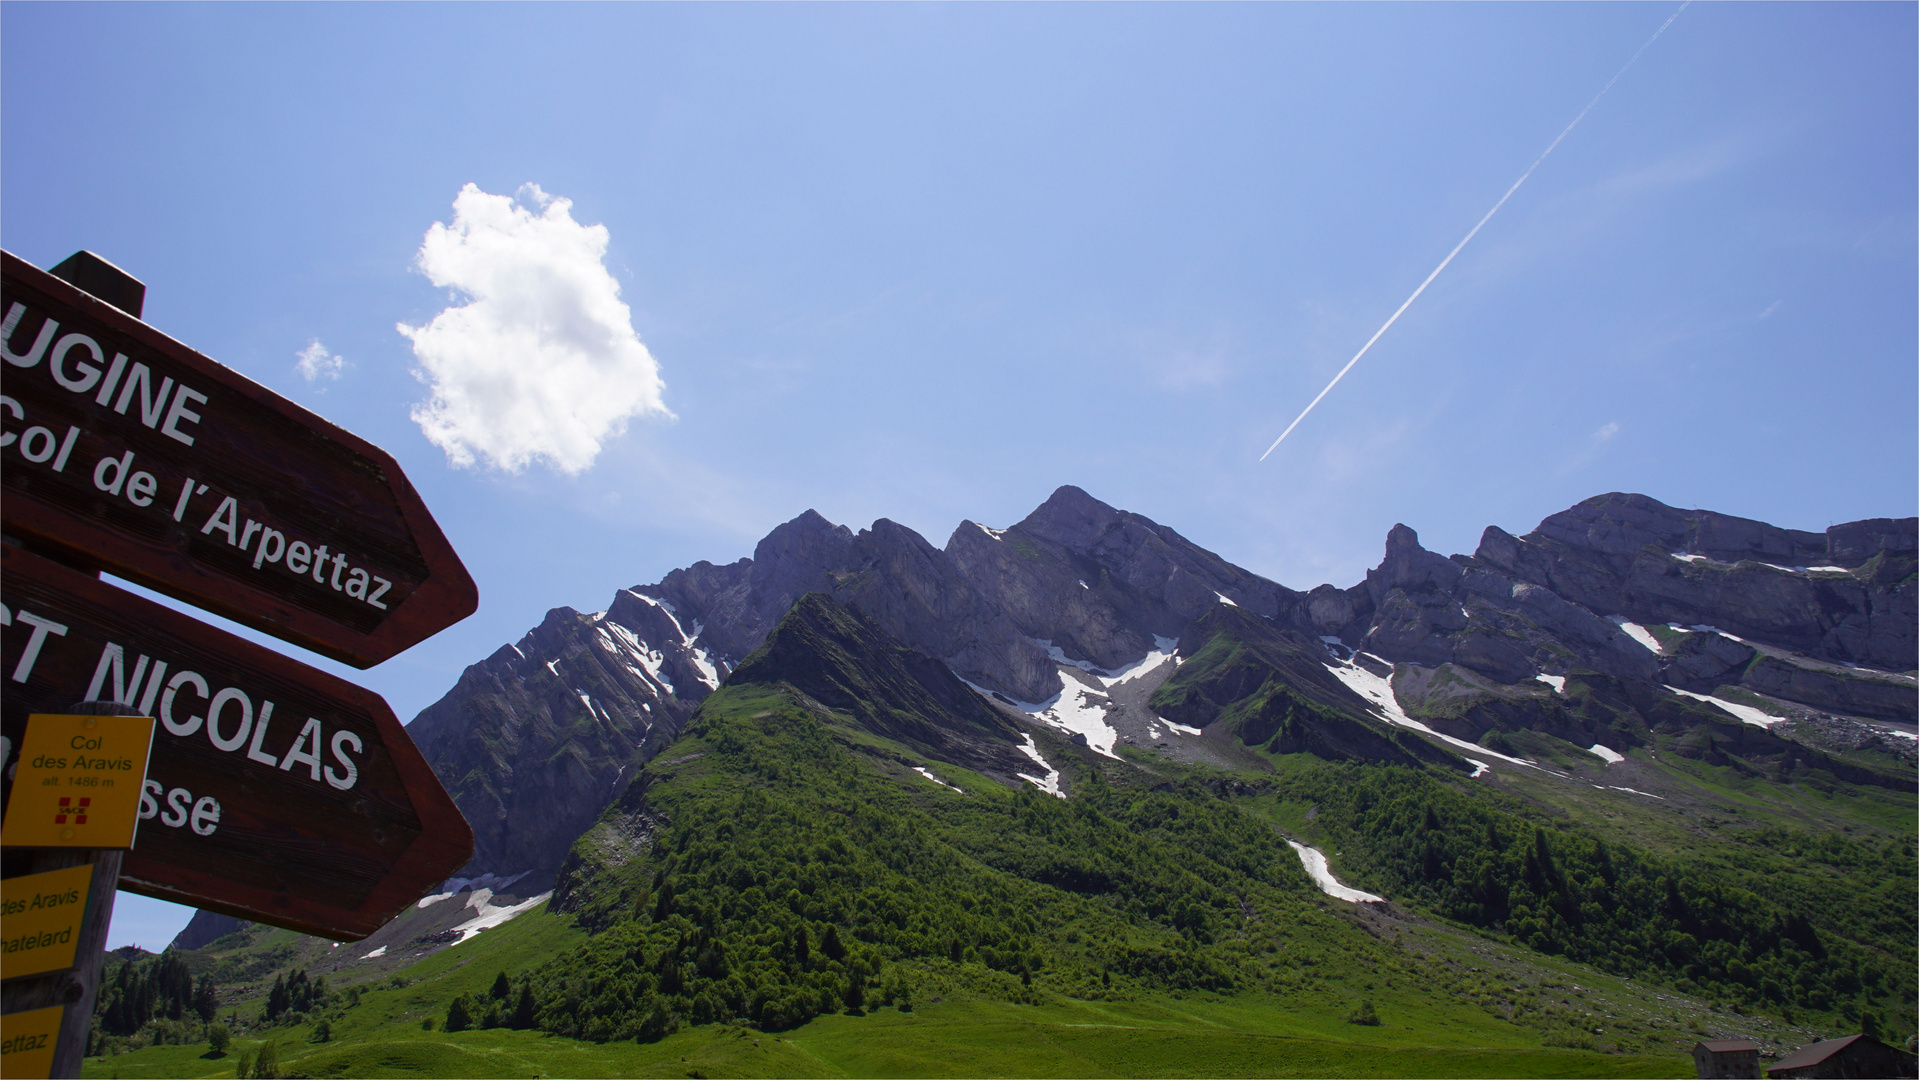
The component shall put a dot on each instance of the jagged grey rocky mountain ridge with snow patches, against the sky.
(1072, 617)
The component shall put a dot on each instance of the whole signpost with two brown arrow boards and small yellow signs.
(273, 791)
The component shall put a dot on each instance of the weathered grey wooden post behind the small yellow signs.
(80, 987)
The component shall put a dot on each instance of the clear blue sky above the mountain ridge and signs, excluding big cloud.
(932, 262)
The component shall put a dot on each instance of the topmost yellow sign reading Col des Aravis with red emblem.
(78, 784)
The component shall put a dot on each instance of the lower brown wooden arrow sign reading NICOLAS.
(275, 793)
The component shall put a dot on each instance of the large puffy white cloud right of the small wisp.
(542, 362)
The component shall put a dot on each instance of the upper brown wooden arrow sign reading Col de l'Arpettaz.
(128, 452)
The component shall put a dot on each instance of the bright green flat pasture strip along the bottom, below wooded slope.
(951, 1039)
